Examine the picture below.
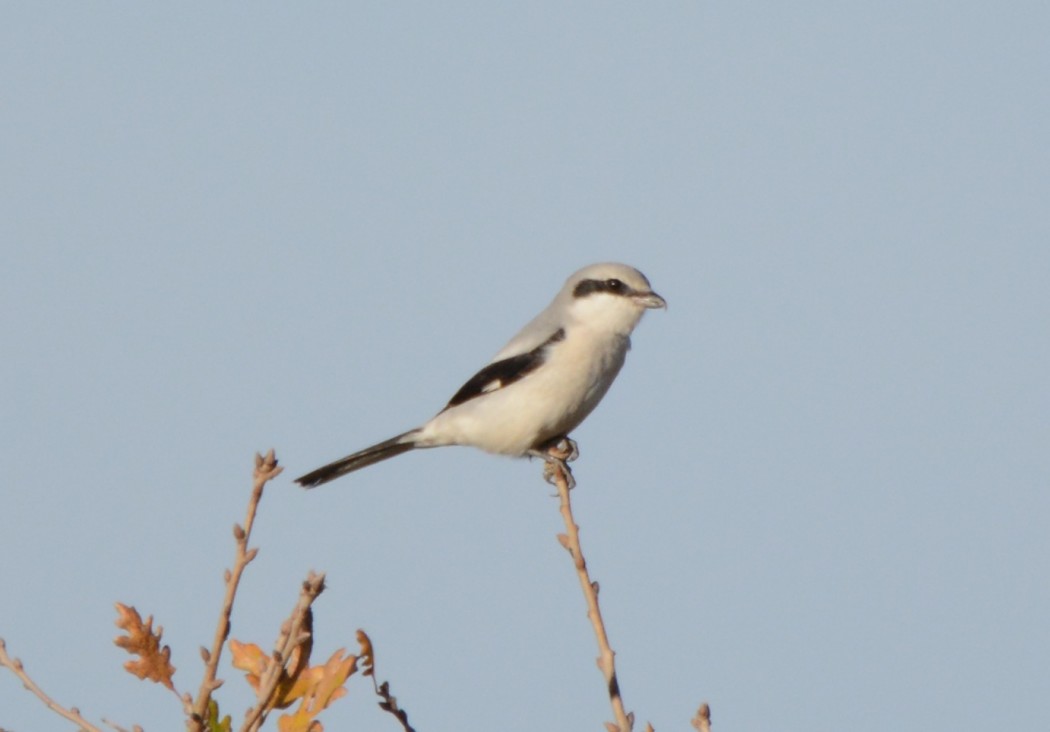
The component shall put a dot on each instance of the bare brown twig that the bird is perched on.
(571, 540)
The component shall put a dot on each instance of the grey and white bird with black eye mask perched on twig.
(539, 387)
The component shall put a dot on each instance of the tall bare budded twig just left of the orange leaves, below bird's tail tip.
(266, 470)
